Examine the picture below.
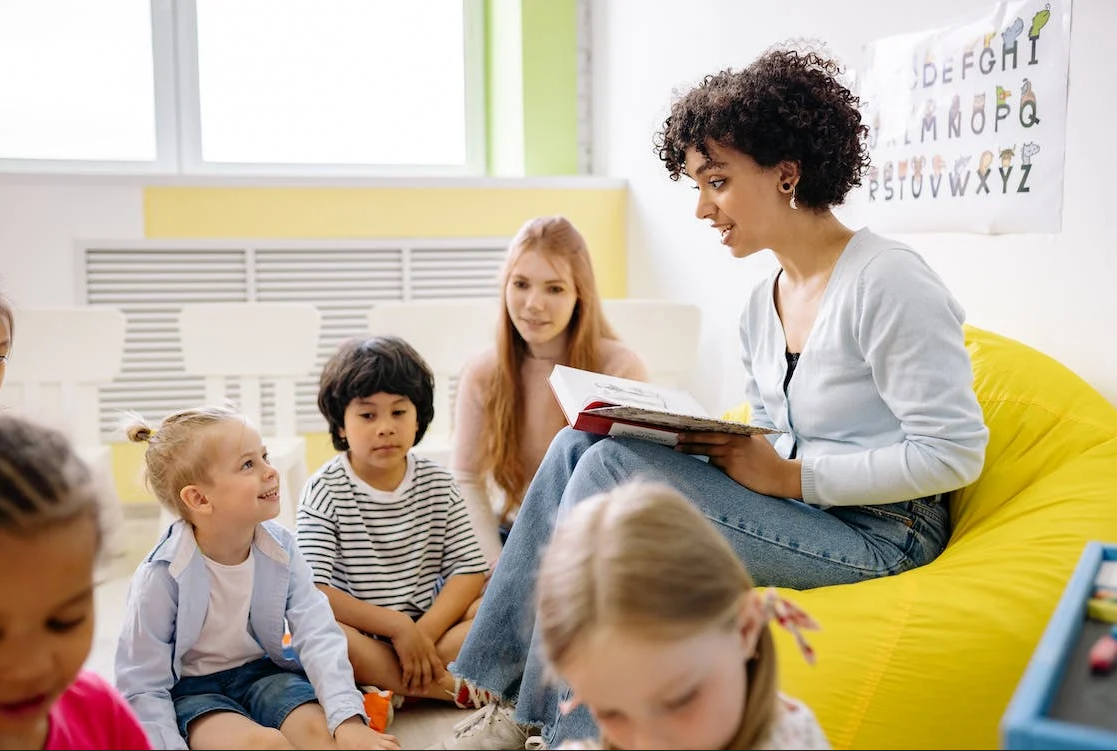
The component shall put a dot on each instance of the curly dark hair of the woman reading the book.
(788, 106)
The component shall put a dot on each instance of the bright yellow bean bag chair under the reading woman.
(930, 659)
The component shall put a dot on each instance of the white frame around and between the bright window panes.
(178, 115)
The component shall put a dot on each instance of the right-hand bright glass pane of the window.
(341, 82)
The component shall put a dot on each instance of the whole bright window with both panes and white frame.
(329, 88)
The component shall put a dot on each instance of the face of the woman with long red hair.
(541, 298)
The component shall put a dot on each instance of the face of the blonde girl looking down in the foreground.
(650, 692)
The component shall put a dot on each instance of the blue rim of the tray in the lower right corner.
(1028, 723)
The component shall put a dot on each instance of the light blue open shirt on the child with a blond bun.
(167, 605)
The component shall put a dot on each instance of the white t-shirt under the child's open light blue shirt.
(226, 640)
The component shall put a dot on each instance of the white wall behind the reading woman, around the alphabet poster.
(1054, 292)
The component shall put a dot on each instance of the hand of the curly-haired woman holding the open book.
(750, 461)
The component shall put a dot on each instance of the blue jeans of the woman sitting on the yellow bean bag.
(786, 544)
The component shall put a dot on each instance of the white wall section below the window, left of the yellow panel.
(41, 220)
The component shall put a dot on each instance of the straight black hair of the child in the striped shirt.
(365, 367)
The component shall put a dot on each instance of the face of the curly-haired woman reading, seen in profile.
(740, 198)
